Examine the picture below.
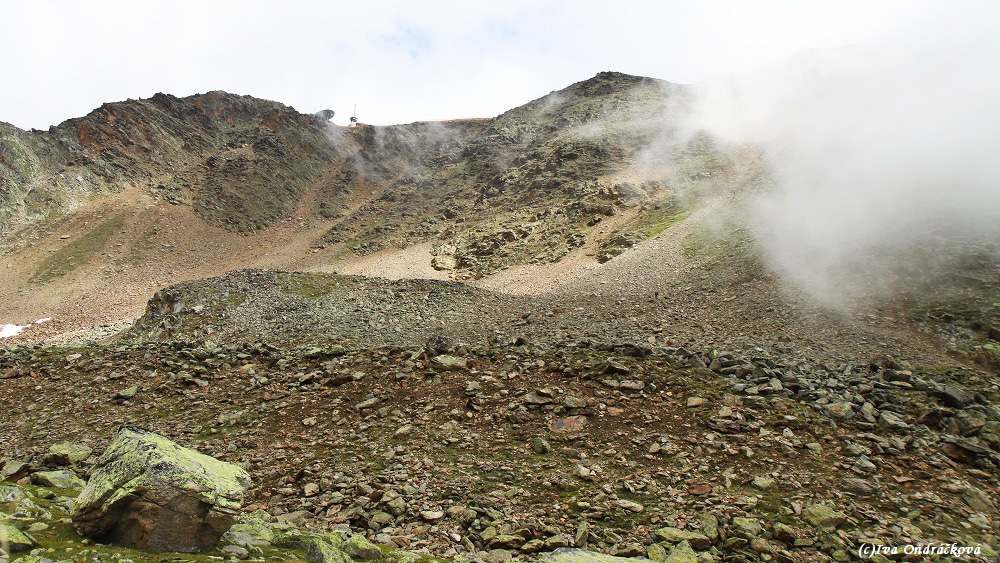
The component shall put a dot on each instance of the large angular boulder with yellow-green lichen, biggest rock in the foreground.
(149, 493)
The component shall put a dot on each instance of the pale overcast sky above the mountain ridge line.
(400, 61)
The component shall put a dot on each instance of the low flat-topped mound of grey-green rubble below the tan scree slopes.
(349, 311)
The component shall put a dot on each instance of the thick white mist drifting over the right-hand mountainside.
(885, 156)
